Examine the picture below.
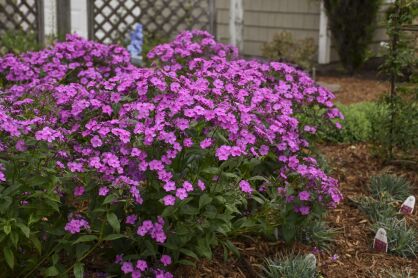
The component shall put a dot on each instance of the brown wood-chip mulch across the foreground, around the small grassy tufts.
(353, 165)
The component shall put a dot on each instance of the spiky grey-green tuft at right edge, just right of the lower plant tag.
(402, 240)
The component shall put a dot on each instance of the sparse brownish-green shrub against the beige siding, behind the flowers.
(284, 48)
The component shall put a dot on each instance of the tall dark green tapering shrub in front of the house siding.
(352, 24)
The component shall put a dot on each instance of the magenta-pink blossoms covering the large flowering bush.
(100, 114)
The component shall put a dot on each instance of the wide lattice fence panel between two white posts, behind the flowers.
(110, 21)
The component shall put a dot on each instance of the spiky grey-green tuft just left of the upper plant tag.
(376, 210)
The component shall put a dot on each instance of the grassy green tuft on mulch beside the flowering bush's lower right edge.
(319, 234)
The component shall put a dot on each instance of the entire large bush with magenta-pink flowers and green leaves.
(146, 168)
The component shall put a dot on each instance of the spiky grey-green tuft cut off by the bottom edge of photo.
(291, 266)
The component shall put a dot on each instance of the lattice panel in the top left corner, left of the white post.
(25, 15)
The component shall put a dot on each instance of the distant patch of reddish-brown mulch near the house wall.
(355, 89)
